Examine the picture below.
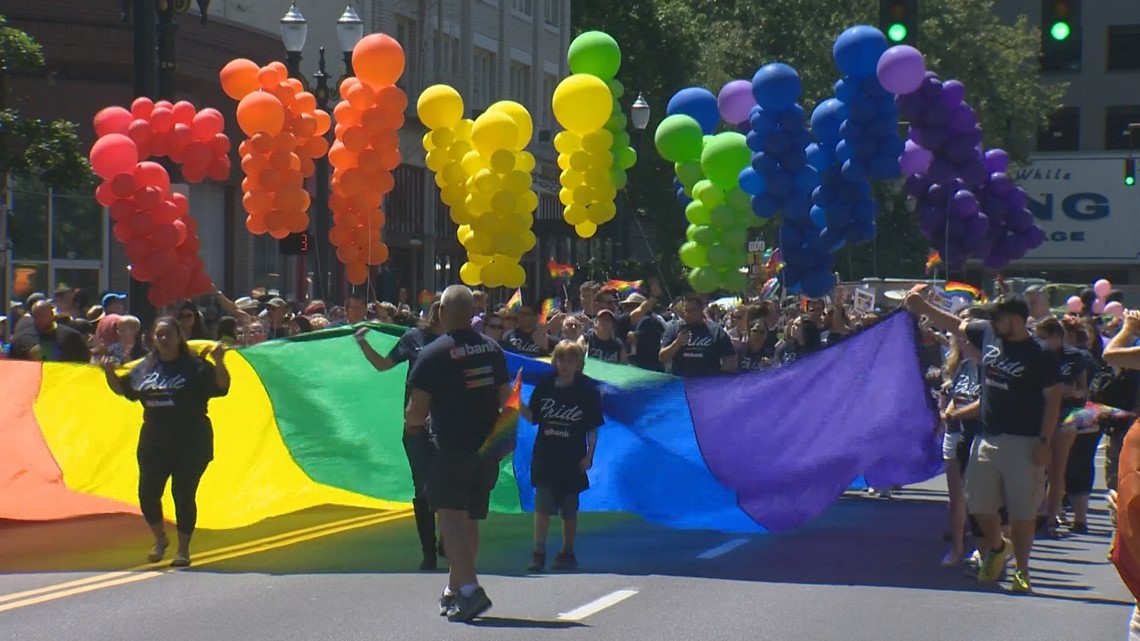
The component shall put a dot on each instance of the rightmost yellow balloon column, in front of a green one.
(584, 106)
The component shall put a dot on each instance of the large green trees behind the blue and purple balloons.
(962, 39)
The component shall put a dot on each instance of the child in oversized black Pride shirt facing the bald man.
(568, 411)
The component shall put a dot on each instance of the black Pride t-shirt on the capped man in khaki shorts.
(1015, 377)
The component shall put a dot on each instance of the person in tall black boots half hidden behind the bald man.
(417, 444)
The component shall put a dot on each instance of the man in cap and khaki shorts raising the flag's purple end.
(1021, 410)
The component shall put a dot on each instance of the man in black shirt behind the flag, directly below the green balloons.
(698, 347)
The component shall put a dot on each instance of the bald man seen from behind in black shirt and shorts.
(461, 380)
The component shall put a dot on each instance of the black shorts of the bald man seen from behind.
(462, 481)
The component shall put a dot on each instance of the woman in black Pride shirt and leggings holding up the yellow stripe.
(175, 387)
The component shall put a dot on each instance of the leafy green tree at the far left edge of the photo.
(47, 151)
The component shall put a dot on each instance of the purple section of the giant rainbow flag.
(791, 441)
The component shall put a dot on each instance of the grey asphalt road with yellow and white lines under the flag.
(866, 571)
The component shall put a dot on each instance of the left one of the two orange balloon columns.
(287, 133)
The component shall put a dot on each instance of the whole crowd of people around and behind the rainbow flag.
(1006, 376)
